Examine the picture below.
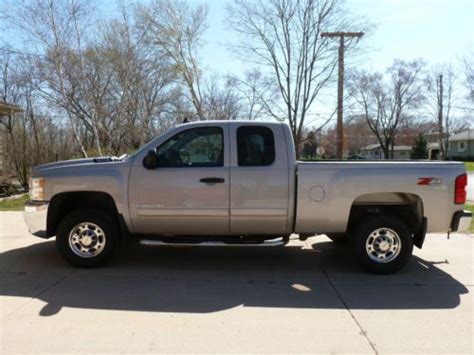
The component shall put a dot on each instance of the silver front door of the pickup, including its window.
(188, 193)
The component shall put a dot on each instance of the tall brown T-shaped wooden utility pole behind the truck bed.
(340, 83)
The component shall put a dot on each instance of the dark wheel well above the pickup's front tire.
(64, 203)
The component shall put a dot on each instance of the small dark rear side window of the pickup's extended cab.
(255, 146)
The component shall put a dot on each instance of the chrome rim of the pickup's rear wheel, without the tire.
(383, 245)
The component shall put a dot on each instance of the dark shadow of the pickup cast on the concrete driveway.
(200, 280)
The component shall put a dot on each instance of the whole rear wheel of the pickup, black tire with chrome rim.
(380, 226)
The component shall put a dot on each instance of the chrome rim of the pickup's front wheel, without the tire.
(87, 240)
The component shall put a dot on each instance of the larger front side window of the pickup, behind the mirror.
(196, 147)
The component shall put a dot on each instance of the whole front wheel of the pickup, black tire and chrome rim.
(87, 238)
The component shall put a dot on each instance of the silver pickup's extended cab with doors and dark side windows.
(215, 178)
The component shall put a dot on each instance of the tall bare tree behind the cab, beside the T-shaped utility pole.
(285, 37)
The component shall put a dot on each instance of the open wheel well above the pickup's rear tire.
(405, 206)
